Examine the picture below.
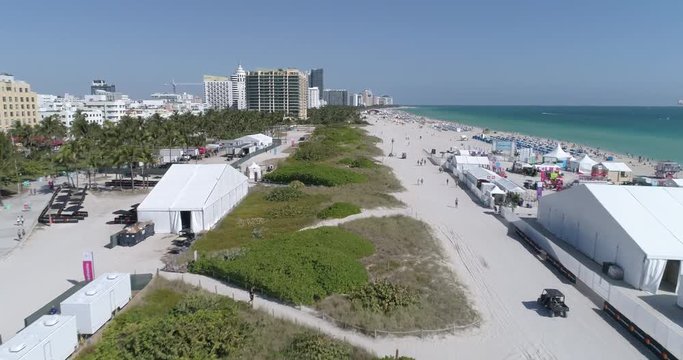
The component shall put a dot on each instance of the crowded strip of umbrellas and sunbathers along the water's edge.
(645, 167)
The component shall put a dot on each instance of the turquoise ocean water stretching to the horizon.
(654, 132)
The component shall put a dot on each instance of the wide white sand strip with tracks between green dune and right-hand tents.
(502, 277)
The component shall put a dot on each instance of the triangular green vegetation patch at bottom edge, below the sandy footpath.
(171, 320)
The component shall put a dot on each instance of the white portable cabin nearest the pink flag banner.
(94, 304)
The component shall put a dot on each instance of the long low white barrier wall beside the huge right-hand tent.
(663, 330)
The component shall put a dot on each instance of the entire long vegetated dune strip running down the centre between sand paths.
(382, 274)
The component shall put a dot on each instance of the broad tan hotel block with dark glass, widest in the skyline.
(281, 90)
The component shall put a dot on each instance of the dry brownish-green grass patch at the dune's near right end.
(421, 291)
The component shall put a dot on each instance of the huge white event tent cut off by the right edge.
(636, 227)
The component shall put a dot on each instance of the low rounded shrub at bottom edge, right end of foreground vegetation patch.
(316, 347)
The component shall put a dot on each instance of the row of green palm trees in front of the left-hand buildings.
(50, 147)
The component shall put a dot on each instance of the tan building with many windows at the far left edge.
(17, 103)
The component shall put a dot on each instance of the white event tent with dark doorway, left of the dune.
(193, 197)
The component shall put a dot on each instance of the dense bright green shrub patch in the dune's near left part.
(301, 268)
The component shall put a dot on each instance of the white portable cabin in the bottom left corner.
(51, 337)
